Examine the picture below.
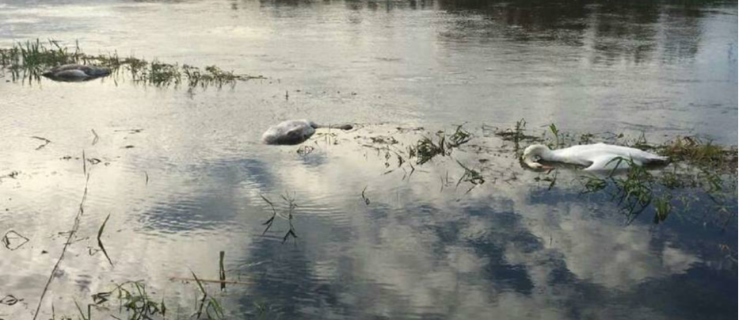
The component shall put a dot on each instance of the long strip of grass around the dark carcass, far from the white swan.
(27, 61)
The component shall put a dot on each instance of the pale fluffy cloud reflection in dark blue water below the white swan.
(603, 250)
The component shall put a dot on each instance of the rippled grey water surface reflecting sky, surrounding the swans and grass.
(182, 173)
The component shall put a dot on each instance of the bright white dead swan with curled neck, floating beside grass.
(595, 157)
